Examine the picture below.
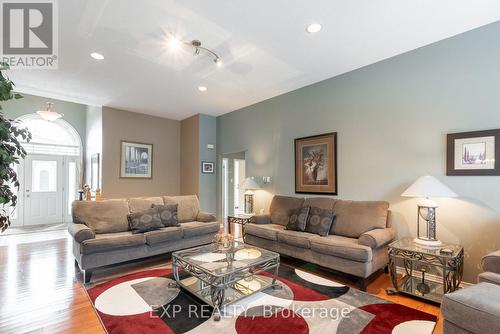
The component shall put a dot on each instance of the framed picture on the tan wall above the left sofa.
(136, 160)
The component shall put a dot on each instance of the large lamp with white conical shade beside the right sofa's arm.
(428, 187)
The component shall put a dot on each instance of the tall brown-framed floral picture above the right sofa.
(316, 164)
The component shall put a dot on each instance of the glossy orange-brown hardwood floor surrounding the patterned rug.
(40, 289)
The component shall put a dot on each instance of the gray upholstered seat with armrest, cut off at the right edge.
(475, 309)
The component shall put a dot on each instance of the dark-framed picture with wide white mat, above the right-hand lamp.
(473, 153)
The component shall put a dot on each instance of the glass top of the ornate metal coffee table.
(218, 261)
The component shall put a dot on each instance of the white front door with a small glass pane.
(43, 190)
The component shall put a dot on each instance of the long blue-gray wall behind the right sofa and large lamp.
(392, 118)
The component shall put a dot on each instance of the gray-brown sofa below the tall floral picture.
(356, 244)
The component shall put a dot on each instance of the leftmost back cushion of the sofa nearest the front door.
(107, 216)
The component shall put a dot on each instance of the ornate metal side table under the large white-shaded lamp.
(423, 272)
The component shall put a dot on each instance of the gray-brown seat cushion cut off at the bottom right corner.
(475, 308)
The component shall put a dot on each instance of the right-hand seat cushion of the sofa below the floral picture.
(346, 248)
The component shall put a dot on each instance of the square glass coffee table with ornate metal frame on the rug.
(222, 276)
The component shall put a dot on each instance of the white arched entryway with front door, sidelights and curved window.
(51, 173)
